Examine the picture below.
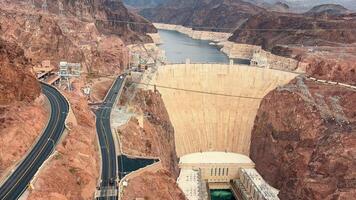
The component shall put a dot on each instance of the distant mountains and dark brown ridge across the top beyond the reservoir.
(251, 24)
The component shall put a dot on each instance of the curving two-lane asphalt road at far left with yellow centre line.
(20, 179)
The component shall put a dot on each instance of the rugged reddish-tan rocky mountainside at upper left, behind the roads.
(91, 33)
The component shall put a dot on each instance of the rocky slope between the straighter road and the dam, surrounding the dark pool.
(150, 134)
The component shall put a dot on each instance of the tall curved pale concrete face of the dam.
(213, 106)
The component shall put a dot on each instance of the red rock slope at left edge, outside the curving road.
(23, 111)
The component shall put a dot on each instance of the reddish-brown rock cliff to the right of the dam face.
(305, 145)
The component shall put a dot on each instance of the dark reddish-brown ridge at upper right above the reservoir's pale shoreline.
(269, 29)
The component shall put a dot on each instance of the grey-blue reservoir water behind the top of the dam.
(179, 47)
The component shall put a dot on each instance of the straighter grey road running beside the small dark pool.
(108, 186)
